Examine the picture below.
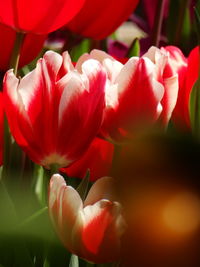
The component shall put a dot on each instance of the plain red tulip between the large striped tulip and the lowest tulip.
(98, 159)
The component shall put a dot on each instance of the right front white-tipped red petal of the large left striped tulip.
(81, 106)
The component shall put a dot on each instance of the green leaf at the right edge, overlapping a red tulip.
(194, 108)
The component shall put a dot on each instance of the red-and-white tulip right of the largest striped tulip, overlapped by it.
(142, 90)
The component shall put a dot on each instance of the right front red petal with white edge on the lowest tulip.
(100, 236)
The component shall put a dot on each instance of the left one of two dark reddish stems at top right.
(158, 23)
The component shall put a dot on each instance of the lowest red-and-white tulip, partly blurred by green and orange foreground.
(92, 229)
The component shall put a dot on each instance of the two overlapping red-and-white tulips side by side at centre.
(56, 110)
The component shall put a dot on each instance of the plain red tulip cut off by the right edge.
(188, 72)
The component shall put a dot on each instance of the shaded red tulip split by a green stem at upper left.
(32, 42)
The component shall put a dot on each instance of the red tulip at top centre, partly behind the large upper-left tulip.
(100, 19)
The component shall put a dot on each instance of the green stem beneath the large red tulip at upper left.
(14, 61)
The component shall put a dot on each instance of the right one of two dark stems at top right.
(183, 7)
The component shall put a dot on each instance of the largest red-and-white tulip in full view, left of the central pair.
(54, 112)
